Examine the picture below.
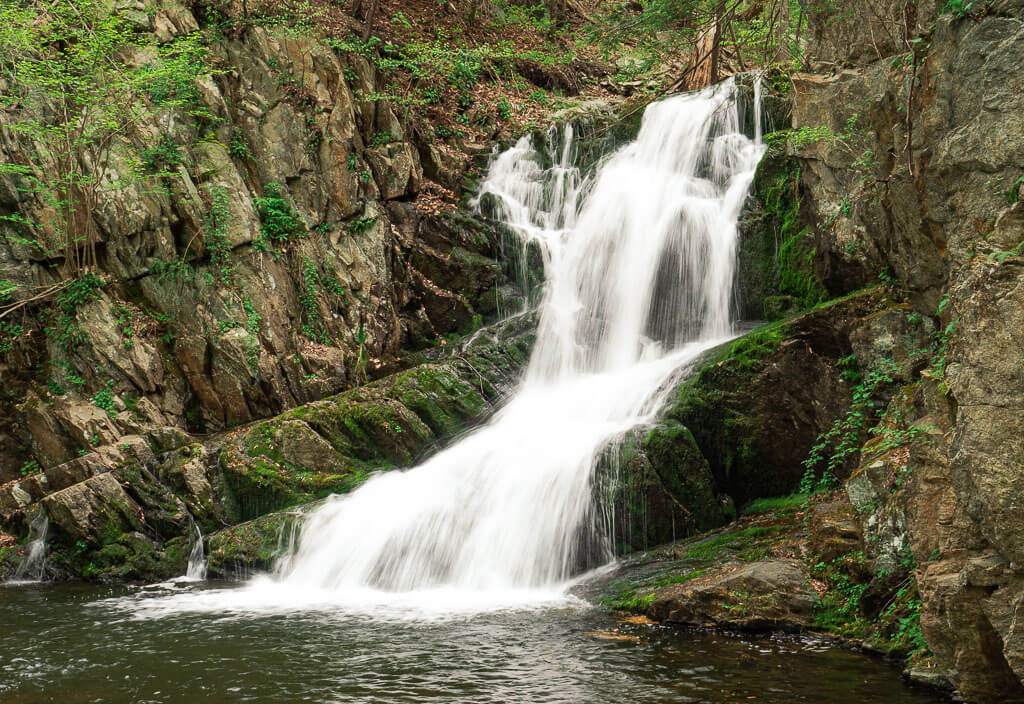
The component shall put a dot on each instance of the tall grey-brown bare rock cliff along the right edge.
(930, 198)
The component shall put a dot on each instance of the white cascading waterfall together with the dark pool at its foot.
(450, 582)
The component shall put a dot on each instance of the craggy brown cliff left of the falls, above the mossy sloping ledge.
(279, 259)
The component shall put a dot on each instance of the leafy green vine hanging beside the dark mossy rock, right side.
(843, 439)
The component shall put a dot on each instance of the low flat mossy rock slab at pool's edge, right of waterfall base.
(792, 565)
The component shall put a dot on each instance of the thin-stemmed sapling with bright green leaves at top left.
(70, 92)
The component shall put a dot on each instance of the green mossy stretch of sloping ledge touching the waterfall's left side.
(331, 446)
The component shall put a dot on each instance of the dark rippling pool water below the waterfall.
(81, 644)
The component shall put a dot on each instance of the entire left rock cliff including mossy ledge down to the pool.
(271, 317)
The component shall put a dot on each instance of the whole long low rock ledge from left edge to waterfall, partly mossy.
(129, 511)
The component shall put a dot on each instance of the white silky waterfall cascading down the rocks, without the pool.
(639, 267)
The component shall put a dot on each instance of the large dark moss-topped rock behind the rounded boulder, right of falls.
(756, 406)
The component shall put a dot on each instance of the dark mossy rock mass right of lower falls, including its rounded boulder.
(739, 428)
